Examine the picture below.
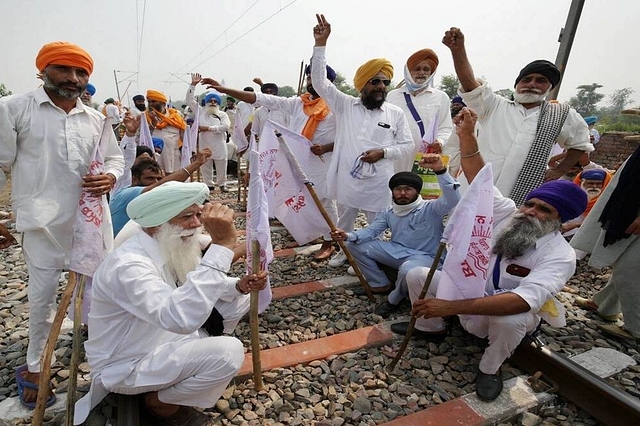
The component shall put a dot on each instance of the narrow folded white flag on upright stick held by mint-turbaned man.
(258, 226)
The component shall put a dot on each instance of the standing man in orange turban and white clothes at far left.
(48, 138)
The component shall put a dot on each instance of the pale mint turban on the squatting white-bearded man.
(165, 202)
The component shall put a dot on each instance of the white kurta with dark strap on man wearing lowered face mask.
(431, 104)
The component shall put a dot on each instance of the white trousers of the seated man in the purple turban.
(504, 332)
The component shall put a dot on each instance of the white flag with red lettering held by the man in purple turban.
(468, 235)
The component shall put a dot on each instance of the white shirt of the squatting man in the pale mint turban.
(137, 304)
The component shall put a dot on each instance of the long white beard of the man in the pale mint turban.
(180, 247)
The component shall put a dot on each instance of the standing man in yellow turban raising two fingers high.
(370, 134)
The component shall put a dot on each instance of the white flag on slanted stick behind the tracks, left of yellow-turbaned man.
(289, 199)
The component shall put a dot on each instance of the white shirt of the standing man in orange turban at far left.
(49, 151)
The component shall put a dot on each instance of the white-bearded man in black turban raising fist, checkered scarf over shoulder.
(517, 135)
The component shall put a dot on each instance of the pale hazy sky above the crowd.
(156, 43)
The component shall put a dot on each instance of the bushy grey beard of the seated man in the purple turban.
(521, 234)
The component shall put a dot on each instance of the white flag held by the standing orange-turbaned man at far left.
(92, 230)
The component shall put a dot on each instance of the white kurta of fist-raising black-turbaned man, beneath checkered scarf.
(508, 131)
